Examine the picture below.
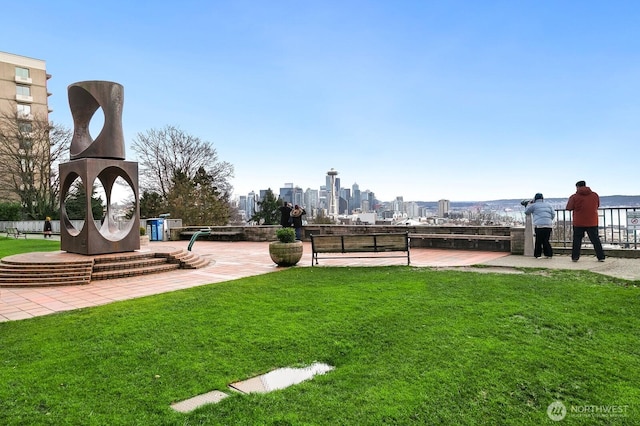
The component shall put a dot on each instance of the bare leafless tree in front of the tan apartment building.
(30, 151)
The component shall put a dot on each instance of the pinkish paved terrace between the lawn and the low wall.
(233, 260)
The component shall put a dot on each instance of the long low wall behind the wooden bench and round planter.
(268, 233)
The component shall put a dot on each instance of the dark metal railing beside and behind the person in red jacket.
(614, 228)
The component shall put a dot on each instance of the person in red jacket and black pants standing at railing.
(584, 204)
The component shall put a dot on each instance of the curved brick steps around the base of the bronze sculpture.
(27, 273)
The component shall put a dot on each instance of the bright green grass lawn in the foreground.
(410, 346)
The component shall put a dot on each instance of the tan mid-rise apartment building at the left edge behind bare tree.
(23, 103)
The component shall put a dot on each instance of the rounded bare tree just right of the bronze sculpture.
(170, 152)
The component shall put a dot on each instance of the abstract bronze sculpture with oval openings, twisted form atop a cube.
(100, 160)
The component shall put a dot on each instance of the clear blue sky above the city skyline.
(464, 100)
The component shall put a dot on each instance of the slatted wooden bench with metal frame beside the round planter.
(363, 243)
